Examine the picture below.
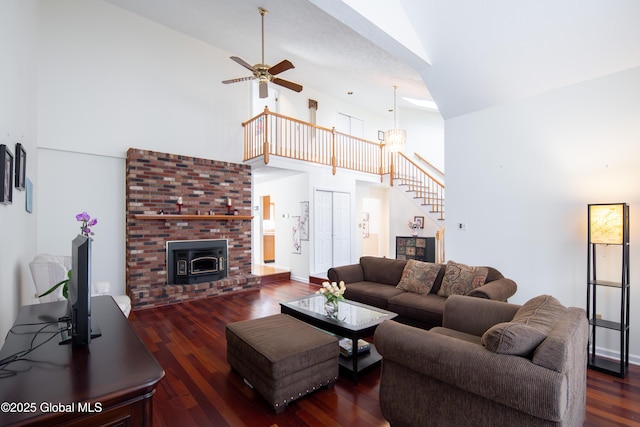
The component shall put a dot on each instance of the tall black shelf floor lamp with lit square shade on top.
(608, 226)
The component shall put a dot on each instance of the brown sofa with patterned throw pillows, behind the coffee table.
(374, 281)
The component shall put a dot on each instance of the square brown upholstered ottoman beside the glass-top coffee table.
(282, 358)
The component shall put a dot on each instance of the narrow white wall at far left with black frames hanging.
(18, 29)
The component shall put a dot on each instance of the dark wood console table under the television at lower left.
(110, 382)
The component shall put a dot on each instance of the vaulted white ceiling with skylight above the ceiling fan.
(464, 54)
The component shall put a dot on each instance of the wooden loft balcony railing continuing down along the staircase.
(272, 134)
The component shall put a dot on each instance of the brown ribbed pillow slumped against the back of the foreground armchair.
(528, 328)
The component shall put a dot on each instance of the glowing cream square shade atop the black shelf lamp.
(606, 224)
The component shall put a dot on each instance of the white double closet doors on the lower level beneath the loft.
(332, 234)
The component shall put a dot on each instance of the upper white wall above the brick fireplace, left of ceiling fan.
(110, 80)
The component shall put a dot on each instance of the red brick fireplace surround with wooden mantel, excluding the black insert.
(154, 183)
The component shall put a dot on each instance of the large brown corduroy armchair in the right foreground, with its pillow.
(489, 365)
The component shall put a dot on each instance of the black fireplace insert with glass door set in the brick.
(196, 261)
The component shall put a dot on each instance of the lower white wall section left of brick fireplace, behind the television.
(91, 183)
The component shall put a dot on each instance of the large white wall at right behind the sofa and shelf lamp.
(521, 176)
